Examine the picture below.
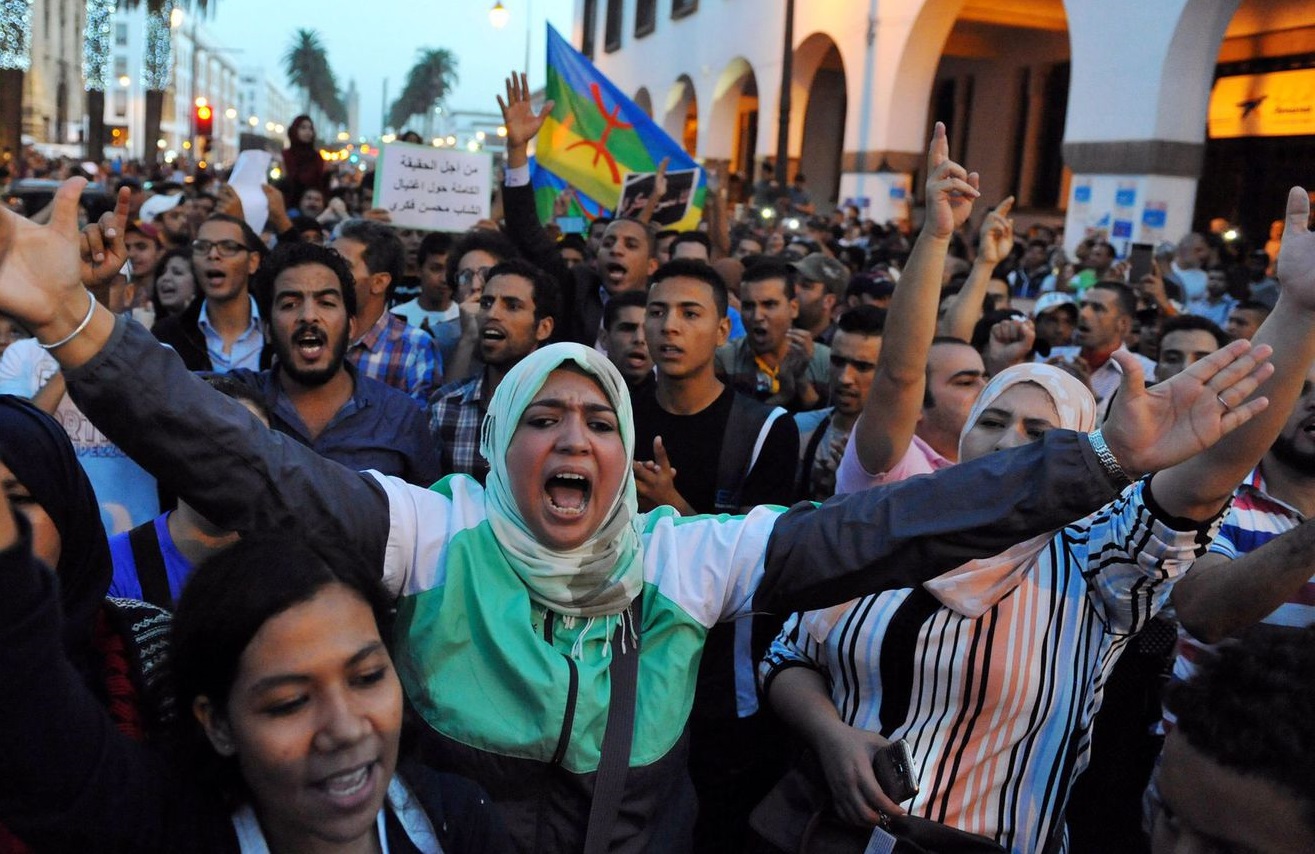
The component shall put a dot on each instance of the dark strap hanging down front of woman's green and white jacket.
(610, 786)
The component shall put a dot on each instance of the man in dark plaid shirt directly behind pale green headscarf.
(515, 318)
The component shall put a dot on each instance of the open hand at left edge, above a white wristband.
(40, 266)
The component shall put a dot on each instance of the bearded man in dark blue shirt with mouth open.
(314, 394)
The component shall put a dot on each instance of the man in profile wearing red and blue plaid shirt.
(387, 348)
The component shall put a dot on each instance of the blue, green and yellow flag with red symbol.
(596, 136)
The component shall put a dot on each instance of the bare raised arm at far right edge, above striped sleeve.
(1199, 488)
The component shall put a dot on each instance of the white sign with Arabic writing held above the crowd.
(436, 190)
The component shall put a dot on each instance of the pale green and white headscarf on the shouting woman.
(606, 573)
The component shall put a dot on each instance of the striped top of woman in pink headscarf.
(999, 710)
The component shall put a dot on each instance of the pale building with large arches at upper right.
(1095, 111)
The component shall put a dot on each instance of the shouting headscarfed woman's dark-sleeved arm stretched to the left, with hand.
(204, 447)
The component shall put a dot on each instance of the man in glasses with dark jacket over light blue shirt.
(223, 331)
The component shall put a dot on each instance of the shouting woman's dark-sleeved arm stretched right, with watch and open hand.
(903, 535)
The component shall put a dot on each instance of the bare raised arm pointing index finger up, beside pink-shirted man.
(886, 427)
